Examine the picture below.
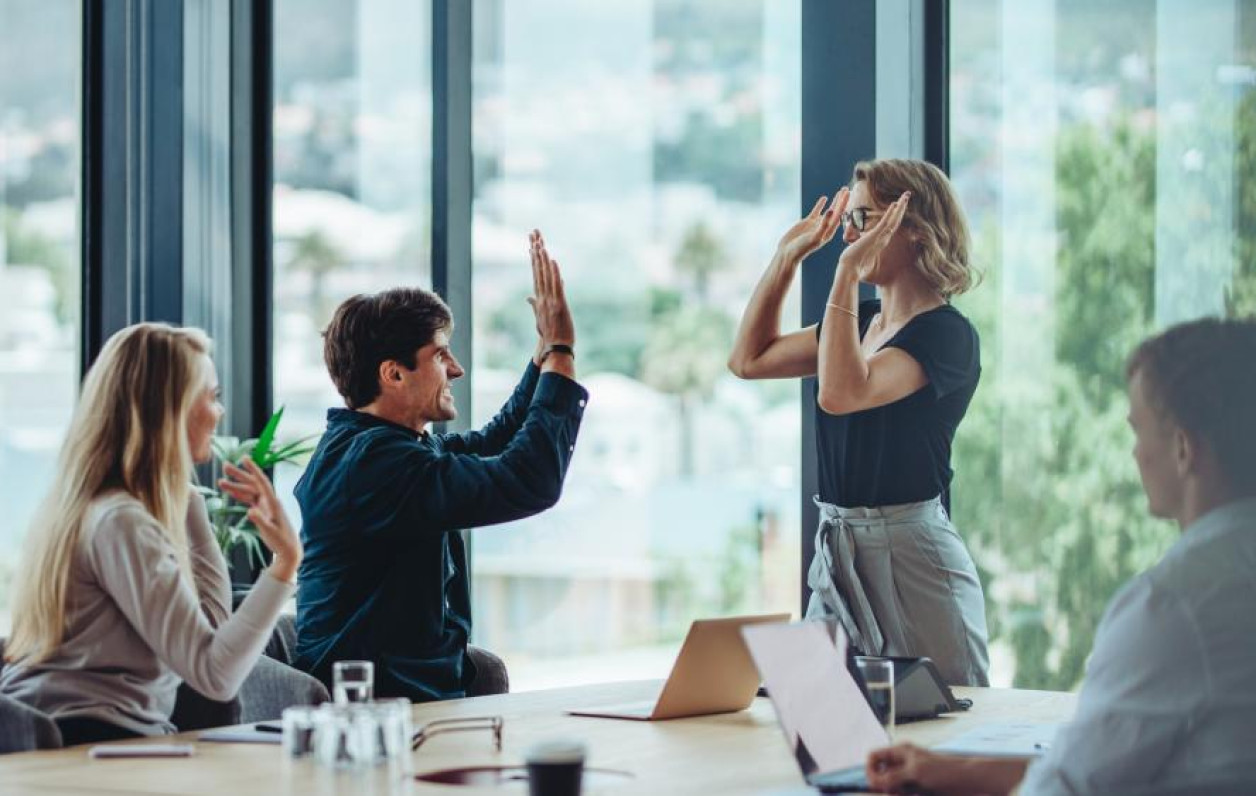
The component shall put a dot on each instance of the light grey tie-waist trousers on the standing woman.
(901, 582)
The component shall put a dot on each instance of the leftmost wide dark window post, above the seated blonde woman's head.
(133, 166)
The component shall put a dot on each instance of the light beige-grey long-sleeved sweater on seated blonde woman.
(136, 628)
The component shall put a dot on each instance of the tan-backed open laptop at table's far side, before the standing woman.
(713, 675)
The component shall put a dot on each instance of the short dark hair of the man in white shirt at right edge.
(1201, 376)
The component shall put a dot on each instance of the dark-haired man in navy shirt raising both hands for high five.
(385, 576)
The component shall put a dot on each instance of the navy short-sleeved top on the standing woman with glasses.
(901, 453)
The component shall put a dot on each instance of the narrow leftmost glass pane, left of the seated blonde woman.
(40, 257)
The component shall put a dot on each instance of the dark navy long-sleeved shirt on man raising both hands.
(385, 576)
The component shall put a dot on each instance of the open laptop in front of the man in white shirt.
(820, 705)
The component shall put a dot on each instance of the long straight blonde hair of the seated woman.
(130, 434)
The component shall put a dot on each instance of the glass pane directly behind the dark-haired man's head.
(352, 159)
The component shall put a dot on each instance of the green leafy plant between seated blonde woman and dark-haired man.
(232, 527)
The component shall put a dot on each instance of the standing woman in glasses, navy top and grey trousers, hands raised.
(894, 381)
